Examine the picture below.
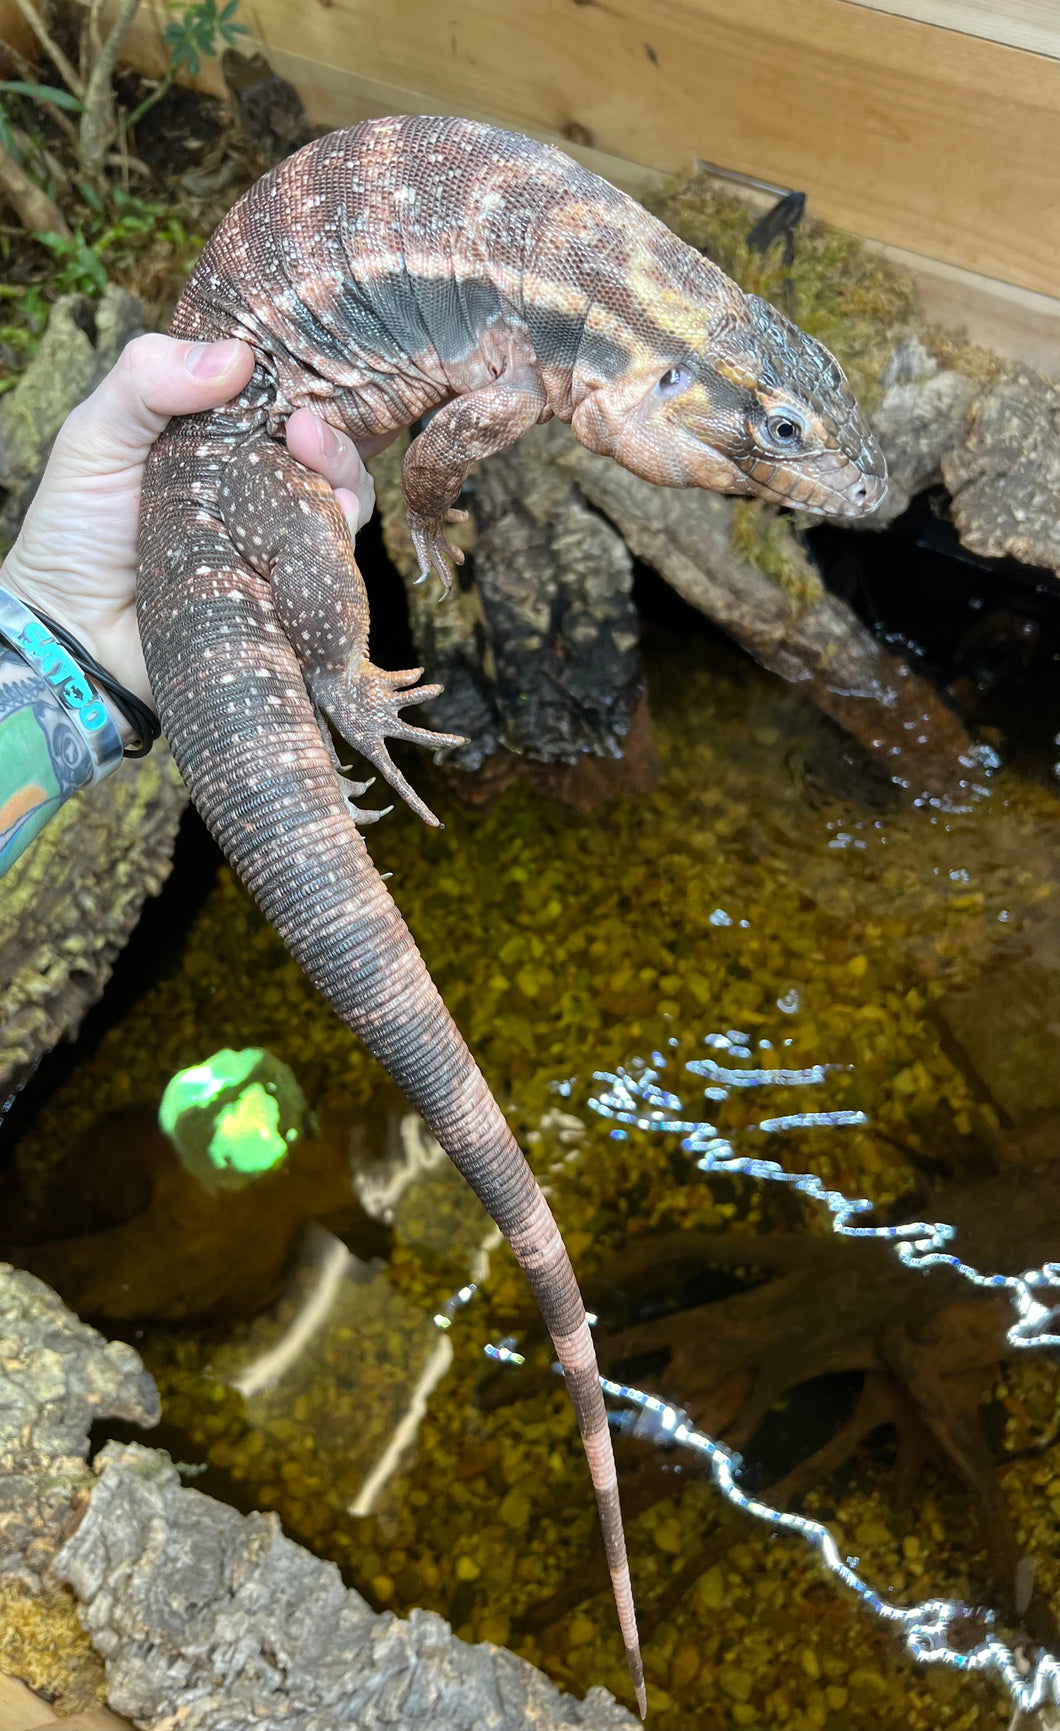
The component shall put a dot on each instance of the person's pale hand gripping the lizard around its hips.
(77, 553)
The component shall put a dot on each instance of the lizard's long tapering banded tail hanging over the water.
(247, 740)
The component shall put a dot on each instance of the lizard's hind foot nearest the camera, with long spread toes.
(365, 707)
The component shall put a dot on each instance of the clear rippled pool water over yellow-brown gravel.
(836, 982)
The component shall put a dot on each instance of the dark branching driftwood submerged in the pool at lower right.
(927, 1342)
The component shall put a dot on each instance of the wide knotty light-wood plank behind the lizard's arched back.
(926, 139)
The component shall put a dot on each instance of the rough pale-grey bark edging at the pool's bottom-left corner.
(209, 1618)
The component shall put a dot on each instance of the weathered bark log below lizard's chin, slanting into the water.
(538, 653)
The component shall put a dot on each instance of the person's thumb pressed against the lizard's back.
(155, 378)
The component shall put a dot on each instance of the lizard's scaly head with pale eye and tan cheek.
(756, 408)
